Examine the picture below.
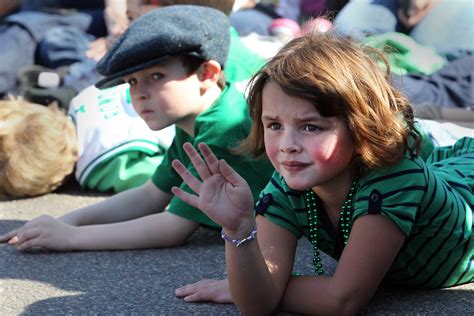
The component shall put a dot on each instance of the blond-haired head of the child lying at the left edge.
(38, 148)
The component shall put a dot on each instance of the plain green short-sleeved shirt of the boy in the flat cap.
(221, 127)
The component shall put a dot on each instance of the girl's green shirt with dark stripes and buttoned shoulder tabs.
(431, 201)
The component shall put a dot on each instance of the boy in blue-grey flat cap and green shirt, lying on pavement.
(173, 59)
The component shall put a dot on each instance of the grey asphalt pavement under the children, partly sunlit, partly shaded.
(142, 282)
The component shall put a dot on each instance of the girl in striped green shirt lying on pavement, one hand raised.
(352, 175)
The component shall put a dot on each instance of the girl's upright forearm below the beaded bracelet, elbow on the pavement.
(259, 270)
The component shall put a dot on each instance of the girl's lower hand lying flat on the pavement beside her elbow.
(216, 291)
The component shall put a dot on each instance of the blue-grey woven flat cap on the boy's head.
(197, 31)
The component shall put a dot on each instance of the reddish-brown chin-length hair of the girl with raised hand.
(341, 79)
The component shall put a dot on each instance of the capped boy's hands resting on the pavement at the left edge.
(44, 231)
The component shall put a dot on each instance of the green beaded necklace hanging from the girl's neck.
(344, 221)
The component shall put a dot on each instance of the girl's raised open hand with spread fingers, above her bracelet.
(221, 193)
